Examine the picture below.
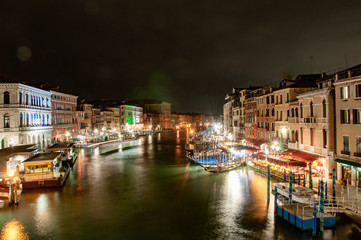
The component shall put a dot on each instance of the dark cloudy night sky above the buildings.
(188, 52)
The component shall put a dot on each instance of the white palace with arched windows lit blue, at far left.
(26, 115)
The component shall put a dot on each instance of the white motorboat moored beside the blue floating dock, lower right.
(300, 194)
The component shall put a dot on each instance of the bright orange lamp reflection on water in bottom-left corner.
(13, 230)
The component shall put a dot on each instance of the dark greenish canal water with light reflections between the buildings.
(147, 189)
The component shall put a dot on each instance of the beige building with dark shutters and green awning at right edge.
(348, 124)
